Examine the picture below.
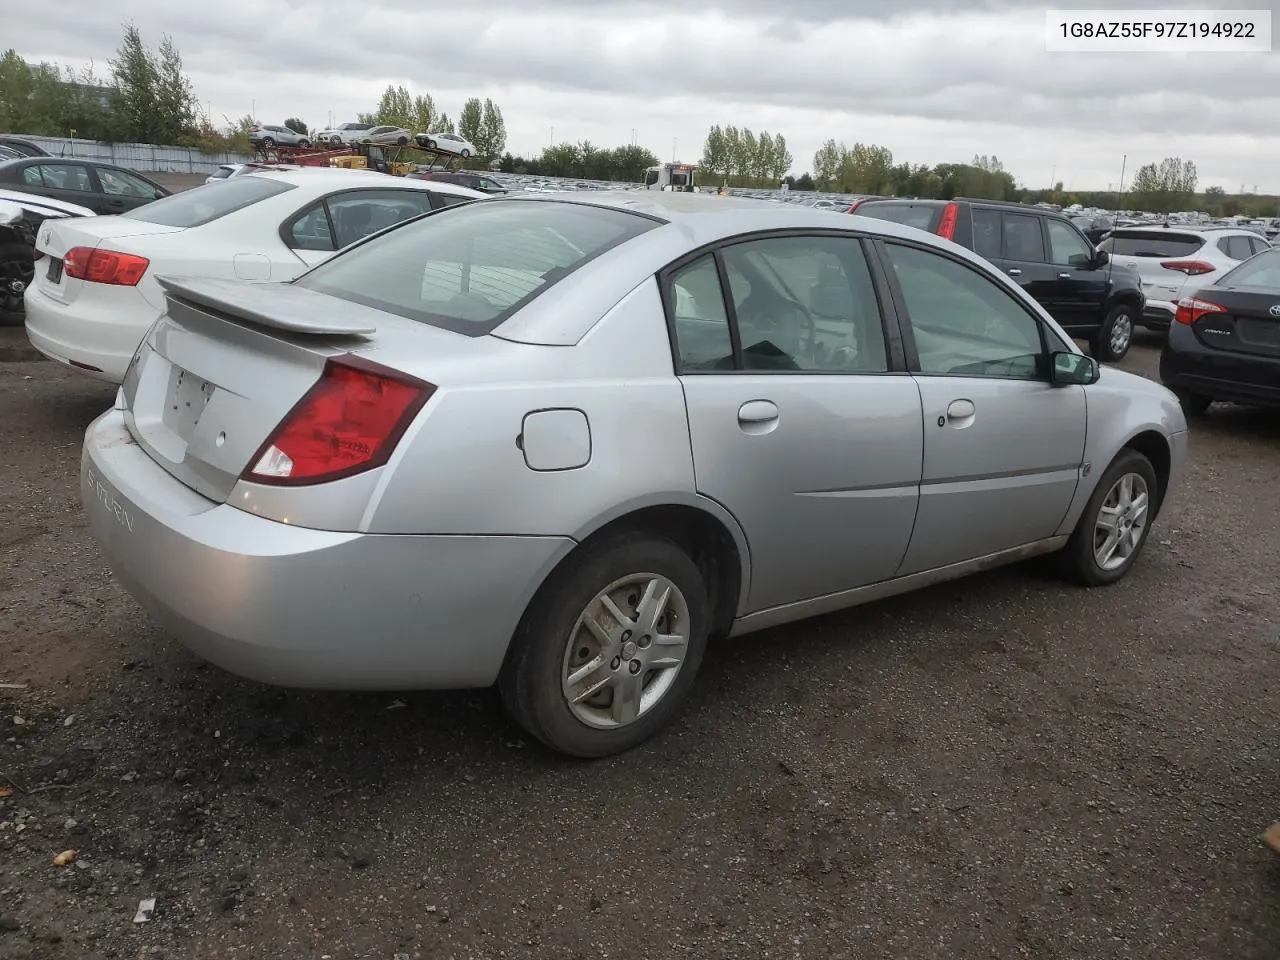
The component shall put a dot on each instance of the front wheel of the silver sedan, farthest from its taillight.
(1116, 524)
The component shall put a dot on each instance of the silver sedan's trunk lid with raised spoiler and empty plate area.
(228, 362)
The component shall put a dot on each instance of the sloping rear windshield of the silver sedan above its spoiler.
(470, 267)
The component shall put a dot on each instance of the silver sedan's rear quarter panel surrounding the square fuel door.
(460, 470)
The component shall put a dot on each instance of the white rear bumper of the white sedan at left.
(97, 340)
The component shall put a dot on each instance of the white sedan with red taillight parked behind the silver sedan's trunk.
(97, 291)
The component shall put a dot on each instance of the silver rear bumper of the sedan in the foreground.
(299, 607)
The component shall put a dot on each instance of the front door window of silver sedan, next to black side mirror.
(964, 323)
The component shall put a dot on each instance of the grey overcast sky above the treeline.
(935, 83)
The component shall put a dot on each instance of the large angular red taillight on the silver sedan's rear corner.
(348, 423)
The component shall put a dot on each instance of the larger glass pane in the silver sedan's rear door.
(808, 304)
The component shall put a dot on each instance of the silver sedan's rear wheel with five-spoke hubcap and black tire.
(609, 651)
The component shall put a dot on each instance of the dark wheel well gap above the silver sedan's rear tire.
(708, 543)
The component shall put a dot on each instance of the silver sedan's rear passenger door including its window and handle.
(799, 427)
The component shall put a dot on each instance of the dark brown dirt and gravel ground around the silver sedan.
(1003, 767)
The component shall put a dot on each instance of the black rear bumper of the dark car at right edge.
(1190, 365)
